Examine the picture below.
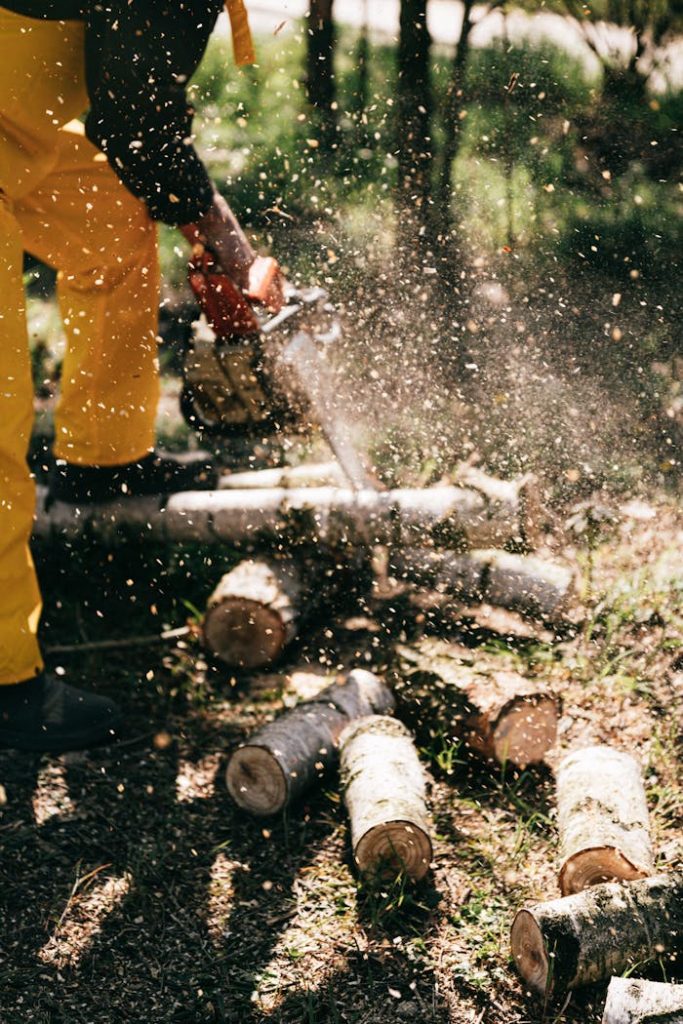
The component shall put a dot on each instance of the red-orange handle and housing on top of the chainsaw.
(229, 311)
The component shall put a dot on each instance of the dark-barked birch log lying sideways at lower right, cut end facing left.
(581, 940)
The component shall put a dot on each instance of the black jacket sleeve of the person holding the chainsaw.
(140, 56)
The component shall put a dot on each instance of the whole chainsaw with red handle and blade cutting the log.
(257, 366)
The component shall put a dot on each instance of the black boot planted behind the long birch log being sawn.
(155, 475)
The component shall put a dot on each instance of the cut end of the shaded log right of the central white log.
(527, 731)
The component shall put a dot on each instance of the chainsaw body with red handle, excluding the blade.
(236, 380)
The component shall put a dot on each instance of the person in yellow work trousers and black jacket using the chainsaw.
(84, 199)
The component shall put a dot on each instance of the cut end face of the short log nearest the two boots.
(245, 634)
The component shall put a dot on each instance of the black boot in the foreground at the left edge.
(46, 715)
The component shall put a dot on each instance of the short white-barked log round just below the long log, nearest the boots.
(253, 614)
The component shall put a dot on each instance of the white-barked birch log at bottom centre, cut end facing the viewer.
(386, 796)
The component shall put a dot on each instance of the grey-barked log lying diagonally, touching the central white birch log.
(279, 763)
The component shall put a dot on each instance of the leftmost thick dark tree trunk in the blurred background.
(320, 68)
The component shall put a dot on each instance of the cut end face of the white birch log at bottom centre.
(394, 848)
